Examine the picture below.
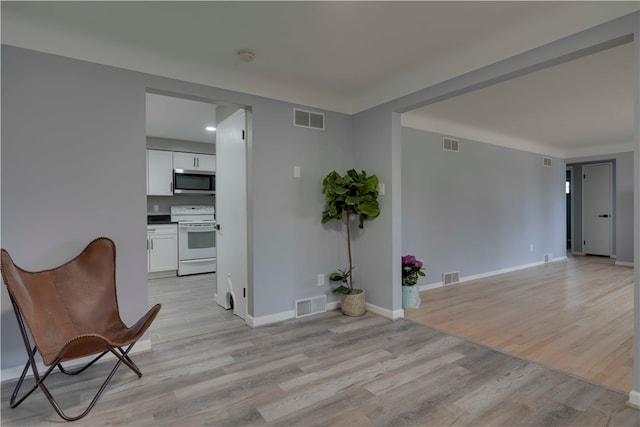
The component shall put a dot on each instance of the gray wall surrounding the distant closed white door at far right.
(622, 202)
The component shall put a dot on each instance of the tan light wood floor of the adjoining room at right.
(574, 315)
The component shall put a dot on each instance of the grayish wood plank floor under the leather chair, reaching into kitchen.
(324, 370)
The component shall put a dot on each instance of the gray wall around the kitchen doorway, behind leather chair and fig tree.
(73, 163)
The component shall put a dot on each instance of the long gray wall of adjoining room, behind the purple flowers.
(478, 210)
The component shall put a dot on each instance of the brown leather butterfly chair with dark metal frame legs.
(71, 312)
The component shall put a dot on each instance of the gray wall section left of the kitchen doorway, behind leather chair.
(73, 139)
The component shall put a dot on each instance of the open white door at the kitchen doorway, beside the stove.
(231, 213)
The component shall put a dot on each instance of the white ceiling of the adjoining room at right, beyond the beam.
(582, 107)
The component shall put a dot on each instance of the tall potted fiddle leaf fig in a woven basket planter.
(349, 196)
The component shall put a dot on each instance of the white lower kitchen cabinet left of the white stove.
(162, 247)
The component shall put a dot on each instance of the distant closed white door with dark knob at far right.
(596, 209)
